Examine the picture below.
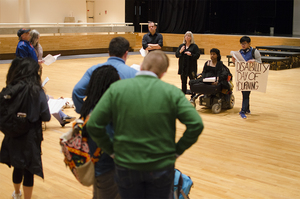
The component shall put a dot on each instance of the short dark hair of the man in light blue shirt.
(118, 46)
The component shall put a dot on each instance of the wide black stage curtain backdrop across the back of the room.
(251, 17)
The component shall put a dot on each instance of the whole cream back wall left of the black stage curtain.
(54, 11)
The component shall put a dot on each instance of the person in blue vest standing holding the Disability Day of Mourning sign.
(250, 55)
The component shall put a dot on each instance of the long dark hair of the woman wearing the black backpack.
(27, 70)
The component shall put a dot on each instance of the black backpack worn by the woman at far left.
(13, 109)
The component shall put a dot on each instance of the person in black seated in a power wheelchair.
(214, 83)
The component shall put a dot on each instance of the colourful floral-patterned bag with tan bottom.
(76, 151)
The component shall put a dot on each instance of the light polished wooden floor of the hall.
(234, 158)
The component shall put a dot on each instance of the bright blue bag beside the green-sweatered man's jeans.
(182, 185)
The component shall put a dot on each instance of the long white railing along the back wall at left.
(12, 28)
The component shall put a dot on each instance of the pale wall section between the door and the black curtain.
(115, 11)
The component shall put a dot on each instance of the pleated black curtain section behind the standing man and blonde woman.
(179, 16)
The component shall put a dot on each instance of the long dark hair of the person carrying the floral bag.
(100, 81)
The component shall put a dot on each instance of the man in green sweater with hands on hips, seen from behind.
(143, 111)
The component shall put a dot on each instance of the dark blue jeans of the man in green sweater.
(133, 184)
